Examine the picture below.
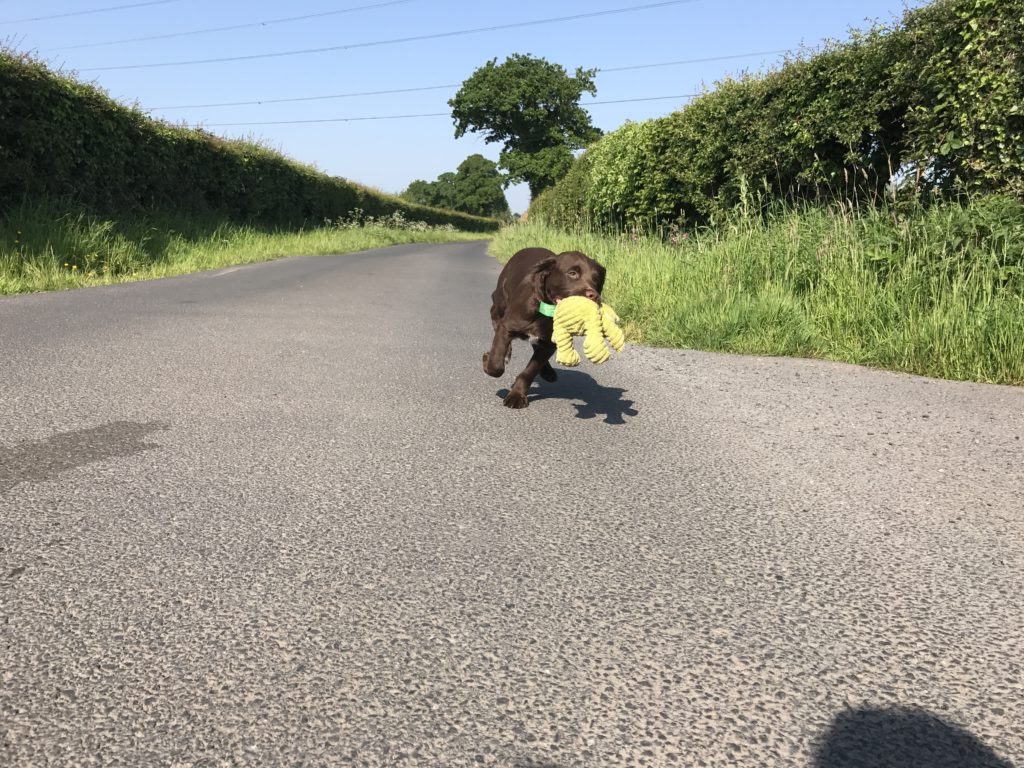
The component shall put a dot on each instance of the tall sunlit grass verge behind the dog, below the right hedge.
(937, 292)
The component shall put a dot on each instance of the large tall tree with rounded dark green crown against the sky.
(533, 107)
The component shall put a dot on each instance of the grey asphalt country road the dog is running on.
(278, 516)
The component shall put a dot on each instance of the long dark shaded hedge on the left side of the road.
(63, 140)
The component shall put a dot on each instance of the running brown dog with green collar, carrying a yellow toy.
(533, 282)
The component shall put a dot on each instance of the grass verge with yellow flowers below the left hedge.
(45, 249)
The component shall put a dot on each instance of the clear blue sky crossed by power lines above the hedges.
(390, 154)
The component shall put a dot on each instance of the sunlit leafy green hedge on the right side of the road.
(934, 106)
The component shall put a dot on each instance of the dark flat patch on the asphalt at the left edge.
(40, 461)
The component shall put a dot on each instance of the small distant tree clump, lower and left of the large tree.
(476, 188)
